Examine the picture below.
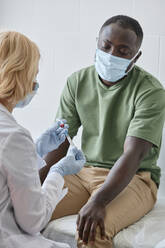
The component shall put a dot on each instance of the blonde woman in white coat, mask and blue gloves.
(25, 205)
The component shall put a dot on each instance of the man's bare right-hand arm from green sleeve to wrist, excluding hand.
(135, 149)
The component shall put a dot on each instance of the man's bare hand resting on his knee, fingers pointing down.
(89, 217)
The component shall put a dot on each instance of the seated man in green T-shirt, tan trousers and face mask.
(121, 109)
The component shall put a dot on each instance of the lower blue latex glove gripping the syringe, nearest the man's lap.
(71, 164)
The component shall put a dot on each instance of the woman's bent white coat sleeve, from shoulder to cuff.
(32, 204)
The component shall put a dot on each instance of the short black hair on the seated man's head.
(127, 22)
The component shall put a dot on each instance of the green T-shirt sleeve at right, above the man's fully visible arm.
(148, 120)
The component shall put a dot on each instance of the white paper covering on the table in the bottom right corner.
(149, 232)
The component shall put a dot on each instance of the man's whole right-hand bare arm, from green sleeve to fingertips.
(93, 212)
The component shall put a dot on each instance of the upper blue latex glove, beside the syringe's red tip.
(52, 138)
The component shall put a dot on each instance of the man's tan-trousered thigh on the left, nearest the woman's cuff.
(76, 197)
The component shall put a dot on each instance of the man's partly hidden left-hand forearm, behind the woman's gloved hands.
(52, 158)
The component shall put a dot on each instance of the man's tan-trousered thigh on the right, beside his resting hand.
(137, 199)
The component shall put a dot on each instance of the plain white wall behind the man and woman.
(66, 31)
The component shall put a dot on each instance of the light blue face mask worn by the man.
(109, 67)
